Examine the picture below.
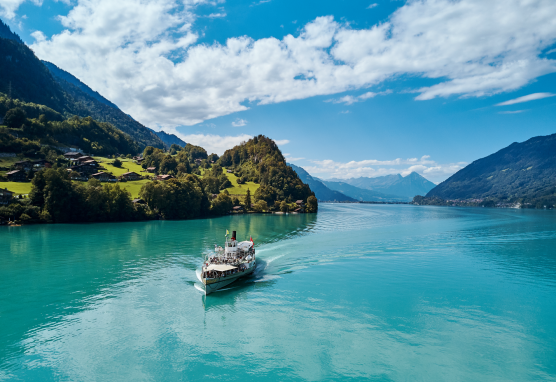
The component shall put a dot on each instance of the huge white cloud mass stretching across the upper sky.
(143, 55)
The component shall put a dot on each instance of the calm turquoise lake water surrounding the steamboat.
(356, 292)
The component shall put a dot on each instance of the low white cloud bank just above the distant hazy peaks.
(373, 168)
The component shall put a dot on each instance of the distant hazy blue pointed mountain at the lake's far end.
(402, 186)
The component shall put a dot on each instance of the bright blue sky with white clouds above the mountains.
(346, 88)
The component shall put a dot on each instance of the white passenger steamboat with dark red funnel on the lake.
(226, 265)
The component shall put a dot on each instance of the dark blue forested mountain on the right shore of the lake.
(521, 170)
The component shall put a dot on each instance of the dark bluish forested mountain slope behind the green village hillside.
(23, 76)
